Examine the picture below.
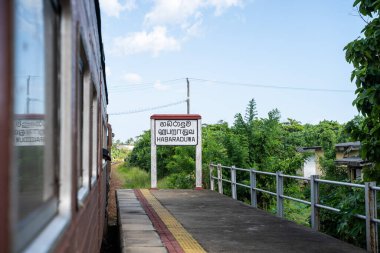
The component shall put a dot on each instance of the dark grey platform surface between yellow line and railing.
(221, 224)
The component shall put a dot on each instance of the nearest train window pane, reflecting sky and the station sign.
(36, 118)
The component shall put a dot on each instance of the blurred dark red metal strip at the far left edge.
(6, 65)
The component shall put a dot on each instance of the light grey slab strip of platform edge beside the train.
(137, 234)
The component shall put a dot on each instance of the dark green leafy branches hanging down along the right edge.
(364, 54)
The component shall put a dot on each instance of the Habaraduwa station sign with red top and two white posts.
(176, 130)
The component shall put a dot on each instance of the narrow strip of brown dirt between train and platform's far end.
(114, 185)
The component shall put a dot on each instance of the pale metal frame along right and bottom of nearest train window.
(44, 239)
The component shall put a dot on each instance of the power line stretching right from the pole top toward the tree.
(271, 86)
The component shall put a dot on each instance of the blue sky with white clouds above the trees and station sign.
(293, 43)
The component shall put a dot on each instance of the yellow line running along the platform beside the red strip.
(185, 240)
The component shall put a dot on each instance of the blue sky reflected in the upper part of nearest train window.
(29, 48)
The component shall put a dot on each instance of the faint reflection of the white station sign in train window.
(29, 132)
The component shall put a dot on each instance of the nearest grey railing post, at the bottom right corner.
(370, 213)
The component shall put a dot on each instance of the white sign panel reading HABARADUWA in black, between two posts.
(176, 132)
